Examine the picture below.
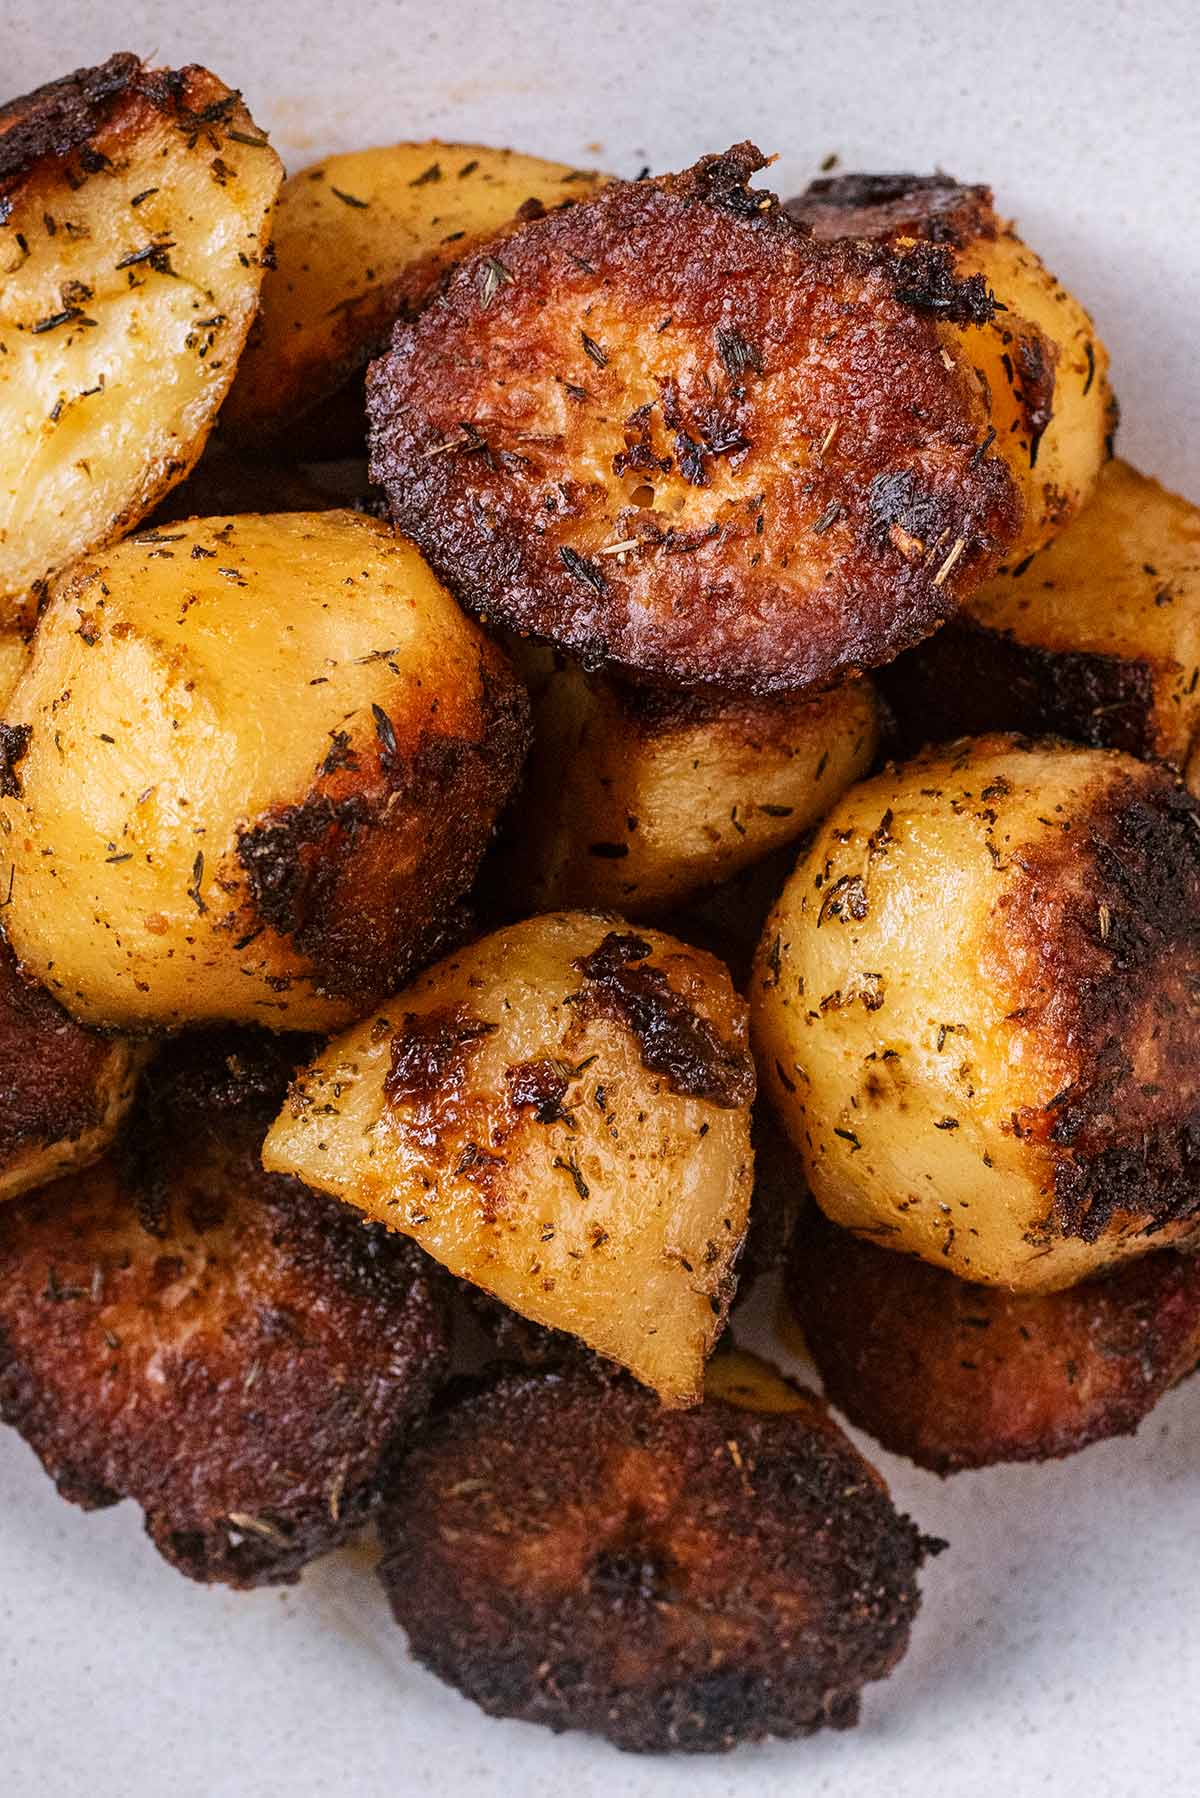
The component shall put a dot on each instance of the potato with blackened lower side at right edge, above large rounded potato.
(1097, 639)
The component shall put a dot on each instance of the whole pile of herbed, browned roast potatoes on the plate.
(539, 776)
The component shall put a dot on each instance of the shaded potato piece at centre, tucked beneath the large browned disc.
(640, 799)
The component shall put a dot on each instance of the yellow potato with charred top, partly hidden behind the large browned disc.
(1037, 357)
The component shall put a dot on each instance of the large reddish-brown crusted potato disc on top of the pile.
(611, 348)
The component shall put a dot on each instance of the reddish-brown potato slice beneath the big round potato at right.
(965, 1376)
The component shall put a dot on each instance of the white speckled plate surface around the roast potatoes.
(1061, 1644)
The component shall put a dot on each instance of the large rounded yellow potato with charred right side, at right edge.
(978, 1011)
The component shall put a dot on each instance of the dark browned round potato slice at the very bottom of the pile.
(670, 1580)
